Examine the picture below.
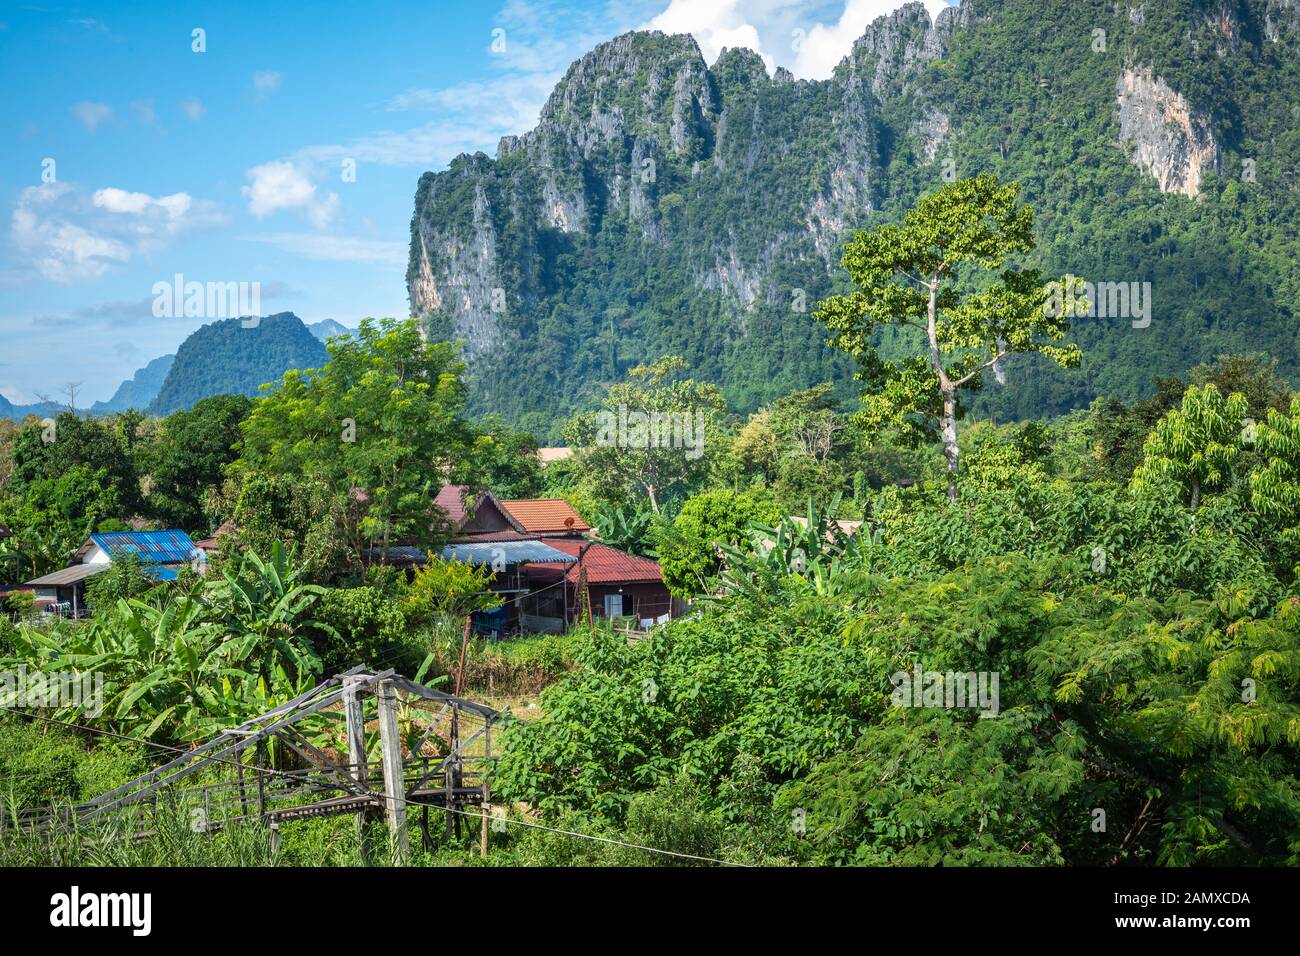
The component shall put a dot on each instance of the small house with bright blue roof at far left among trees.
(162, 555)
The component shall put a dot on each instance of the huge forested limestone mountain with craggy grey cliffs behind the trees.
(666, 206)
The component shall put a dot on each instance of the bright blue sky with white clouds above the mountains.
(127, 157)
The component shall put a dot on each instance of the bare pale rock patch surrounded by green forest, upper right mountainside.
(1167, 137)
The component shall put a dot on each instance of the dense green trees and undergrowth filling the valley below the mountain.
(1128, 574)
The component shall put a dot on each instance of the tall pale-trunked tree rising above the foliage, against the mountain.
(931, 275)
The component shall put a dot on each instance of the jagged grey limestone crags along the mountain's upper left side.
(631, 133)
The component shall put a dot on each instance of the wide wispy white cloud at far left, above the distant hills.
(66, 236)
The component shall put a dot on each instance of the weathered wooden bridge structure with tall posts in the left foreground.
(313, 758)
